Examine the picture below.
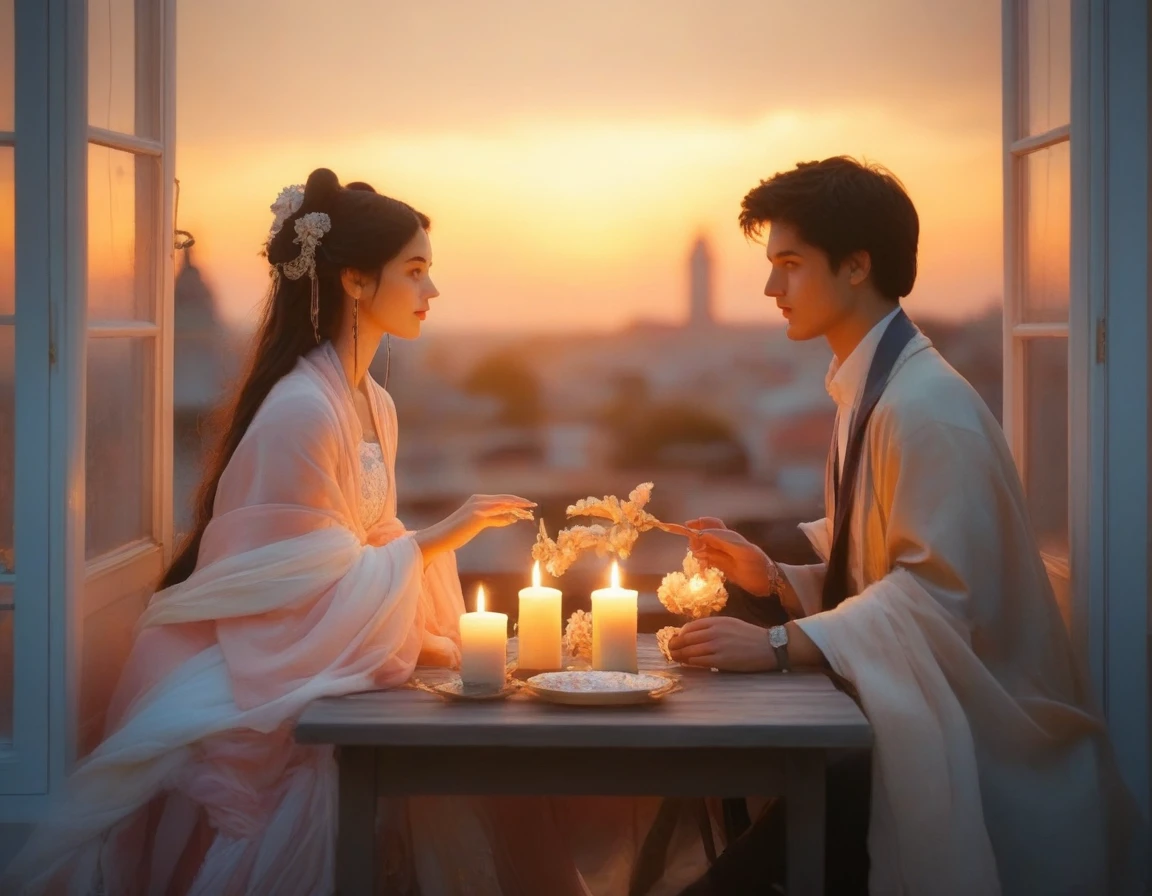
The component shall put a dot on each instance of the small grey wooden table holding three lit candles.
(724, 735)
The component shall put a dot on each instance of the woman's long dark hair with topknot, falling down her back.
(368, 232)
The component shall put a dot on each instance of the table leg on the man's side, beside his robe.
(805, 784)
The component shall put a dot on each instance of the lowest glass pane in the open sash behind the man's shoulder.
(1047, 442)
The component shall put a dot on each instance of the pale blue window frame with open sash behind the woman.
(55, 587)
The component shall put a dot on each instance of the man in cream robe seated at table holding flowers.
(990, 771)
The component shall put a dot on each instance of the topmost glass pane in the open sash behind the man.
(1050, 65)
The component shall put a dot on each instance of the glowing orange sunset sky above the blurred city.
(569, 154)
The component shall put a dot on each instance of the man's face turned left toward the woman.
(812, 297)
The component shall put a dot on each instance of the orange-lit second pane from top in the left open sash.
(122, 231)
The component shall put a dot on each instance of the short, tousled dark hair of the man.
(843, 207)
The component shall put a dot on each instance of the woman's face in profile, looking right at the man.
(404, 291)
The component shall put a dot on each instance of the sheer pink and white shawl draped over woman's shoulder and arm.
(295, 593)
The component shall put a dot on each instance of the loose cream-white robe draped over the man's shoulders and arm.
(992, 772)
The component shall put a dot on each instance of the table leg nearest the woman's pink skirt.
(357, 841)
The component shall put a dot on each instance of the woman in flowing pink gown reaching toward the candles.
(298, 582)
